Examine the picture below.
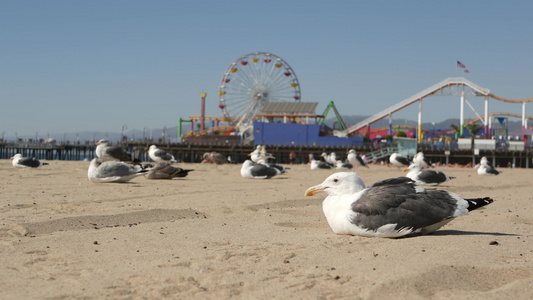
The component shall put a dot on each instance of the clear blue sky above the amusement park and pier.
(72, 66)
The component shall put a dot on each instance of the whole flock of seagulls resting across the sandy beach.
(391, 208)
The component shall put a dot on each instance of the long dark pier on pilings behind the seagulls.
(192, 153)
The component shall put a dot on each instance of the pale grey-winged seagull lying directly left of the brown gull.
(112, 171)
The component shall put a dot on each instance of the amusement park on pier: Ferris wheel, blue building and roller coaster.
(259, 93)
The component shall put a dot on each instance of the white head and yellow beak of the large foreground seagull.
(340, 183)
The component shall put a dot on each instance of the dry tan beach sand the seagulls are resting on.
(216, 235)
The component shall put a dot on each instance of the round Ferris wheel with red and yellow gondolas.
(253, 80)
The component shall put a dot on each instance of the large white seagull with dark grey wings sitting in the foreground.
(390, 208)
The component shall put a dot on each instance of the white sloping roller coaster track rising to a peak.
(447, 87)
